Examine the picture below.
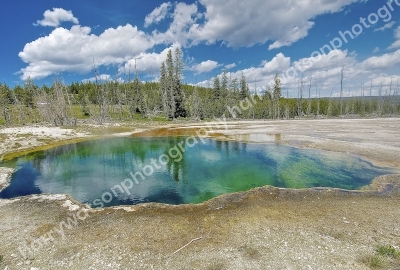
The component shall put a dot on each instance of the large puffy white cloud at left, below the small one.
(75, 50)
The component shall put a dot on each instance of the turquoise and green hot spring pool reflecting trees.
(178, 170)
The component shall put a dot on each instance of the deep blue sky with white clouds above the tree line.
(257, 38)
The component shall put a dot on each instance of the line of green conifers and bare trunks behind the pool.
(101, 101)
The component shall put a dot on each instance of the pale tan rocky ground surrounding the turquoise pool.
(265, 228)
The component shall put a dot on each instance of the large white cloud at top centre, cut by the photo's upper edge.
(244, 23)
